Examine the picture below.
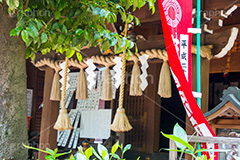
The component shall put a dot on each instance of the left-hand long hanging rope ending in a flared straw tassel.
(63, 120)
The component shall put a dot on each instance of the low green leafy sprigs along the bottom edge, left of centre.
(102, 154)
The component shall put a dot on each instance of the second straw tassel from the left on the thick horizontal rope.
(82, 91)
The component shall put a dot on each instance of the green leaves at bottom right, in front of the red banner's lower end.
(180, 138)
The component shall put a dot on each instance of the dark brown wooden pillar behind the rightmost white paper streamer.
(152, 103)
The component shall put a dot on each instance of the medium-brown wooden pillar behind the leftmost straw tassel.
(48, 136)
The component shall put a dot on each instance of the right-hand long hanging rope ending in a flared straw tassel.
(120, 121)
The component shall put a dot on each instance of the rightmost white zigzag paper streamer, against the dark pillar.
(143, 76)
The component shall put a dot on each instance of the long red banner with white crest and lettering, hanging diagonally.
(176, 17)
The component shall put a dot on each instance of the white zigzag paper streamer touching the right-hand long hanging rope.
(118, 71)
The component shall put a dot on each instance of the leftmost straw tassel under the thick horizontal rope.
(55, 91)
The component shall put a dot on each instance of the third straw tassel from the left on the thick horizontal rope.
(107, 85)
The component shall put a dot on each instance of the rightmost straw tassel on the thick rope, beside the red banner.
(164, 86)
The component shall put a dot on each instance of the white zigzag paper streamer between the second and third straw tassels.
(91, 75)
